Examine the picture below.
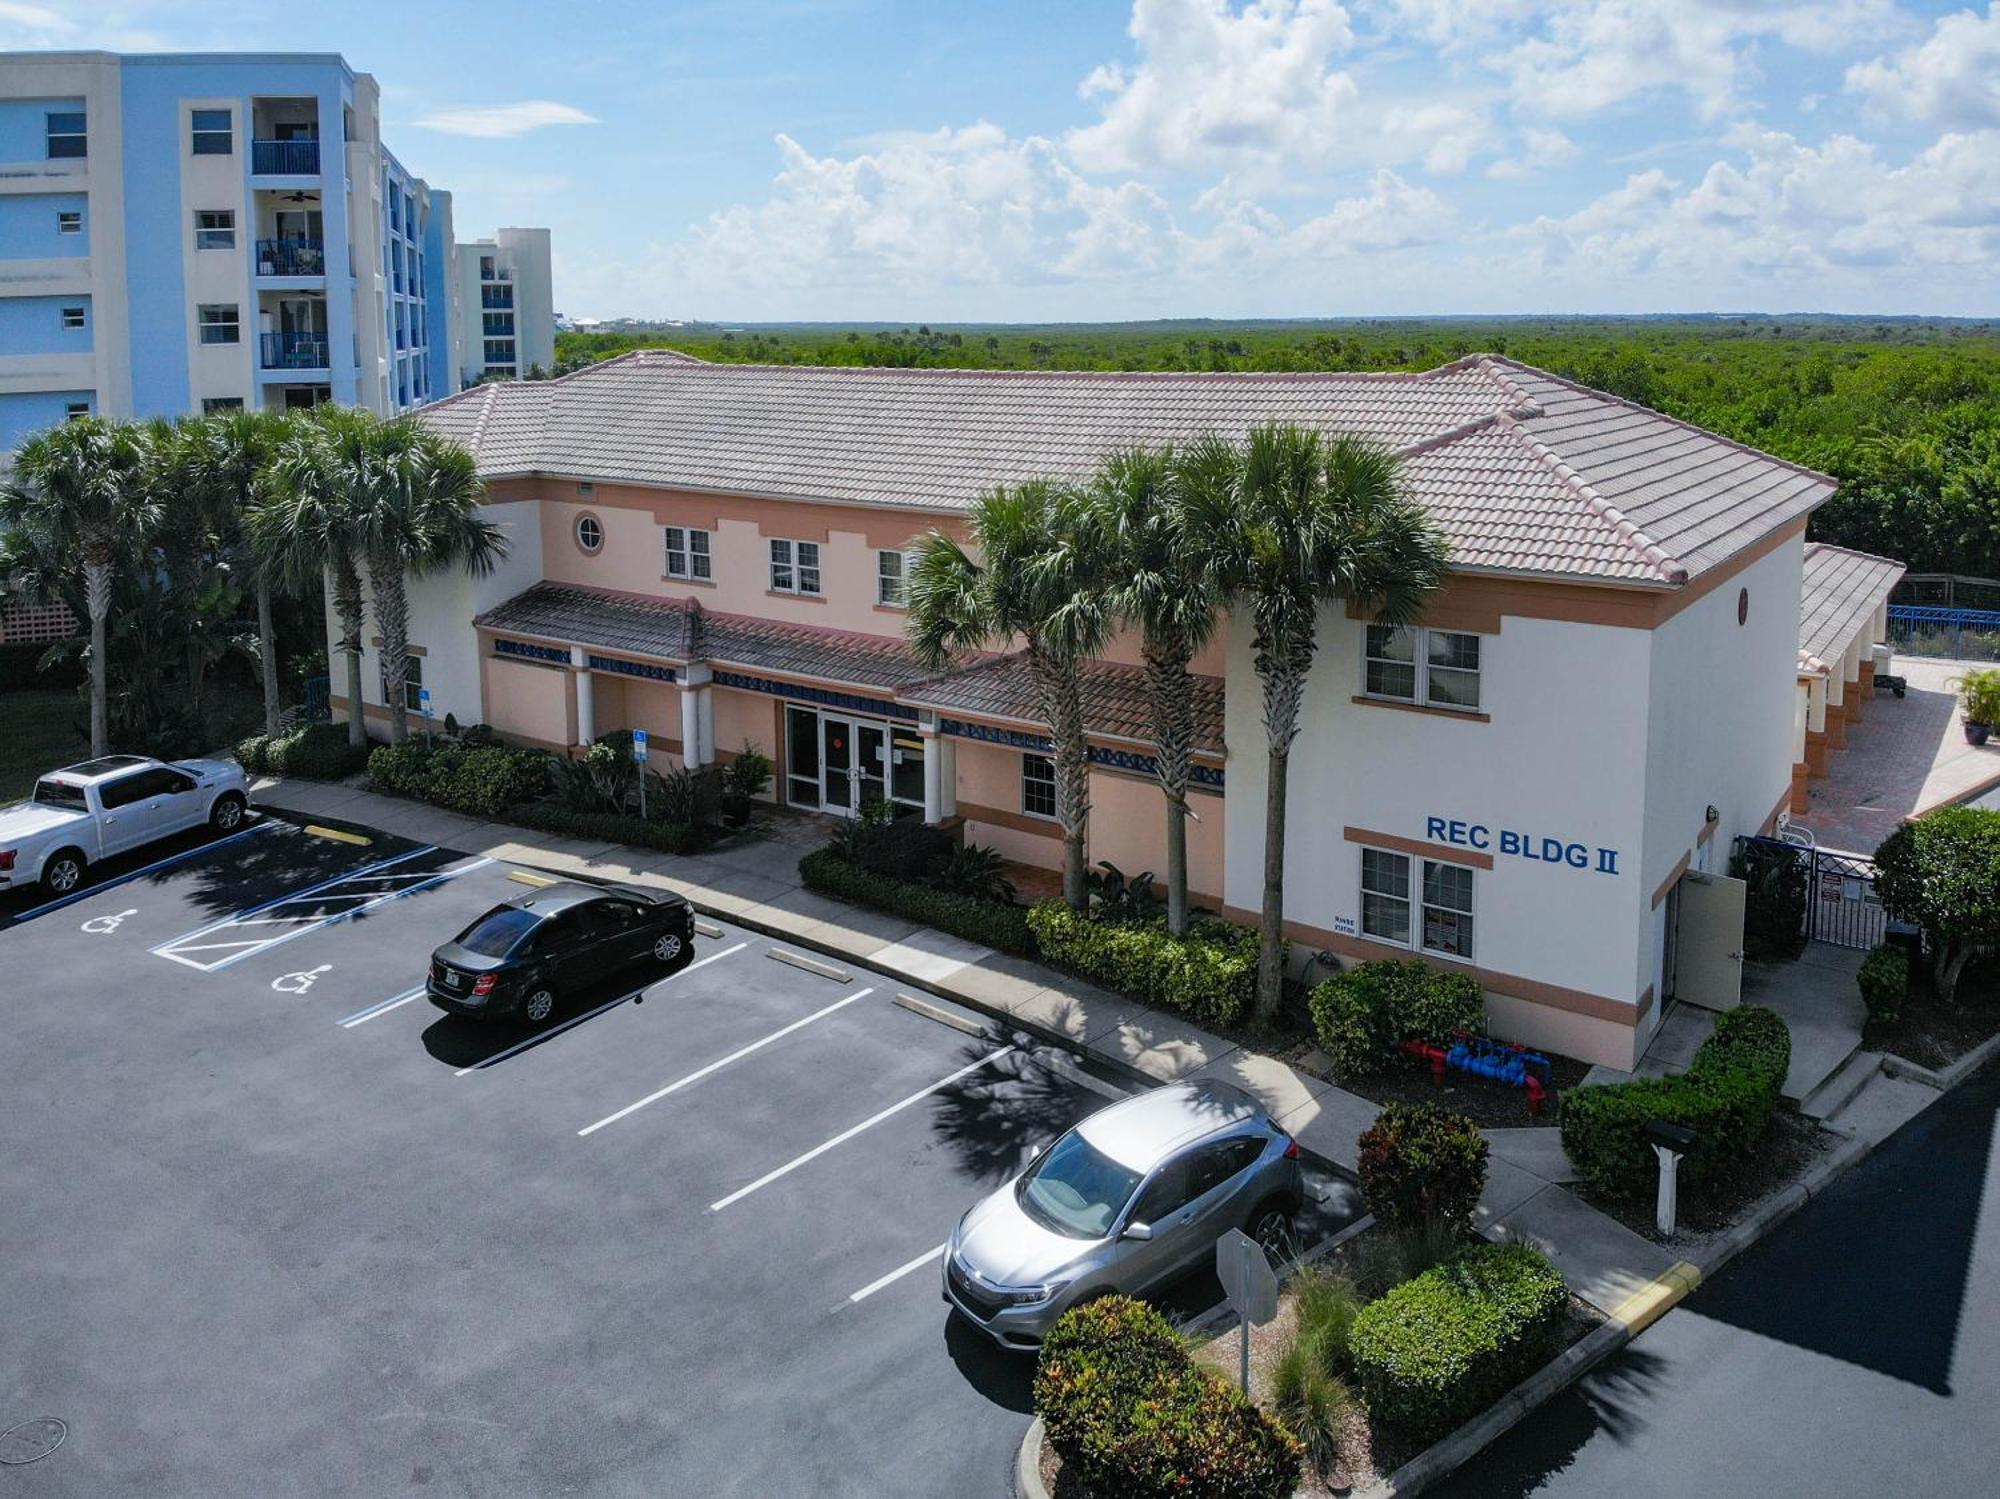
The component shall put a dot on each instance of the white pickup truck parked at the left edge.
(111, 806)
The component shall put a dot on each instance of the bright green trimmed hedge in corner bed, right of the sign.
(1447, 1344)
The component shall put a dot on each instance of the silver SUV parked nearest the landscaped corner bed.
(1131, 1198)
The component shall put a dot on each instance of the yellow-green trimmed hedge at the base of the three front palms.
(1207, 976)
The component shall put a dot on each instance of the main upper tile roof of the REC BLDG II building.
(1527, 473)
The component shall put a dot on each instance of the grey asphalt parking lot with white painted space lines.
(279, 1226)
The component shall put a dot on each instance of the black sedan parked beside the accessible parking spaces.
(531, 954)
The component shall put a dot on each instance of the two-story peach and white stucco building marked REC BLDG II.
(1537, 784)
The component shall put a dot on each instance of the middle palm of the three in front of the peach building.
(1171, 591)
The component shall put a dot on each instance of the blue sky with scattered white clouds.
(1083, 161)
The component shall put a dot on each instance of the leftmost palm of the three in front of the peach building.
(1043, 577)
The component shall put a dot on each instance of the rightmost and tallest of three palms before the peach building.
(1315, 521)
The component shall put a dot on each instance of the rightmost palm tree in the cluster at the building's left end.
(425, 519)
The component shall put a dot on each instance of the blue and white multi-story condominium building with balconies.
(195, 233)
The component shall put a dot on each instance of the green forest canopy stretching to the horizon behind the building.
(1903, 411)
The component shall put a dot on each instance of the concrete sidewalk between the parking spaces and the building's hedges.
(757, 884)
